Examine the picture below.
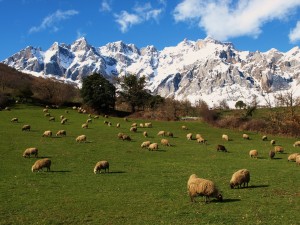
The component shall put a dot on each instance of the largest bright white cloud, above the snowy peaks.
(222, 19)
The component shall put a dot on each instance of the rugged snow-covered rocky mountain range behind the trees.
(204, 69)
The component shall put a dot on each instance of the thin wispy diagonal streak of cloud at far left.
(53, 19)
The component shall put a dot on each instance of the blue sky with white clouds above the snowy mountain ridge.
(248, 24)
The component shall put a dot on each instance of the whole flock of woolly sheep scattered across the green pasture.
(196, 186)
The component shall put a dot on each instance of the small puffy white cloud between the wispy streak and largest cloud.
(141, 14)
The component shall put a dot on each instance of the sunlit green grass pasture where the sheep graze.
(142, 187)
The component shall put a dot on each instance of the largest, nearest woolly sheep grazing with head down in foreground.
(202, 187)
